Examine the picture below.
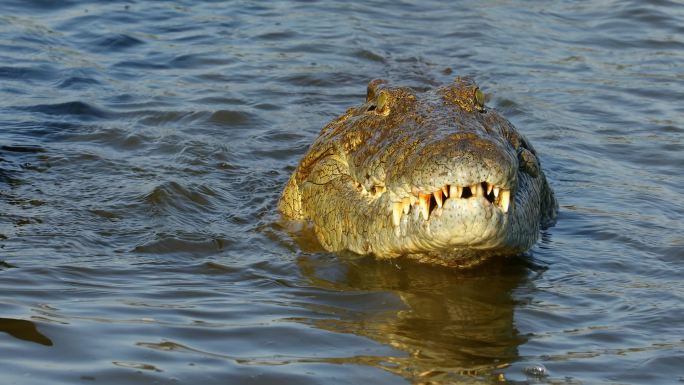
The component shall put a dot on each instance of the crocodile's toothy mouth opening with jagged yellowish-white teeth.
(428, 203)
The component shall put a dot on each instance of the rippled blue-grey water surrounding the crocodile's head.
(143, 146)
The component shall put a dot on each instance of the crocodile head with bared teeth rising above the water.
(433, 175)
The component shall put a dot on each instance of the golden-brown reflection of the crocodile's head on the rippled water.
(452, 325)
